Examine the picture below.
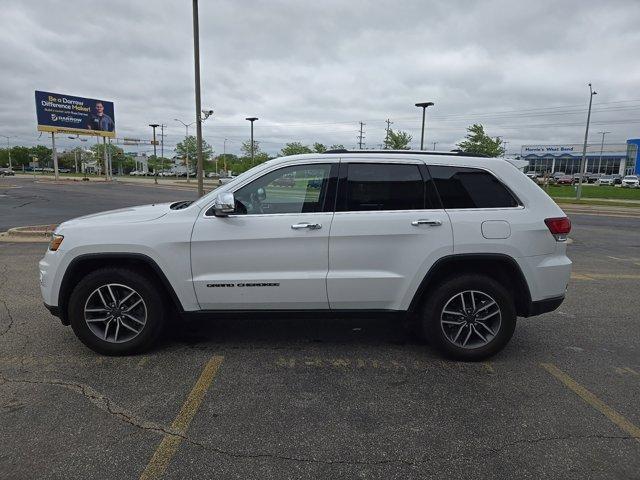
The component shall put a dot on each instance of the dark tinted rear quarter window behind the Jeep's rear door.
(462, 187)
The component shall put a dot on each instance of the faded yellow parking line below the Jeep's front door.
(170, 442)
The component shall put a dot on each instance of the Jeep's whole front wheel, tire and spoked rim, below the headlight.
(116, 311)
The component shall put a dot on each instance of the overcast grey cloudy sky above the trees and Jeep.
(312, 70)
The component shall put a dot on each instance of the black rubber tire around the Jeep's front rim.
(144, 286)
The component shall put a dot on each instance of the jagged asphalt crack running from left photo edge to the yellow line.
(101, 401)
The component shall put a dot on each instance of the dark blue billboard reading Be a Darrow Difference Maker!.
(69, 114)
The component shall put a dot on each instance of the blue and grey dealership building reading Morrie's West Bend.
(618, 158)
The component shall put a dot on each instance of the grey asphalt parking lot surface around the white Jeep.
(320, 399)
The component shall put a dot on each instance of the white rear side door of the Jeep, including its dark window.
(387, 232)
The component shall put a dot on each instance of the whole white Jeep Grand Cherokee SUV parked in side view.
(461, 244)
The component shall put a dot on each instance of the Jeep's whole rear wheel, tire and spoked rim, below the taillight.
(470, 317)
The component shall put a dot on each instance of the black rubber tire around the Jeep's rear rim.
(435, 304)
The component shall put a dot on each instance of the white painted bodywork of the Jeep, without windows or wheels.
(340, 266)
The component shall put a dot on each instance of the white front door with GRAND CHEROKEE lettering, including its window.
(272, 252)
